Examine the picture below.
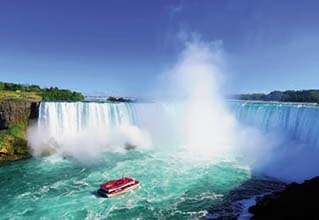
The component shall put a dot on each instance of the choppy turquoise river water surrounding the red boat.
(172, 187)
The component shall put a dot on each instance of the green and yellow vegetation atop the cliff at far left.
(34, 92)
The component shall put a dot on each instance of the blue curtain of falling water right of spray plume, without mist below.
(296, 122)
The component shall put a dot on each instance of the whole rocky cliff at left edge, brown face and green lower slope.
(15, 116)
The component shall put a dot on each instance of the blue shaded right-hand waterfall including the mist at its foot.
(287, 138)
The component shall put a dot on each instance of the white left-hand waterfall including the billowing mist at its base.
(83, 129)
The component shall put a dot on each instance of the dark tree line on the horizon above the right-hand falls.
(285, 96)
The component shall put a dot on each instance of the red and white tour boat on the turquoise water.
(117, 187)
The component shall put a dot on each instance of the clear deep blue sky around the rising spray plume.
(121, 47)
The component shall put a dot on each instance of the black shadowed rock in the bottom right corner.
(296, 201)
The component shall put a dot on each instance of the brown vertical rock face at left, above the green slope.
(17, 111)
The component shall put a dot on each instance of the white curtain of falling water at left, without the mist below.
(72, 118)
